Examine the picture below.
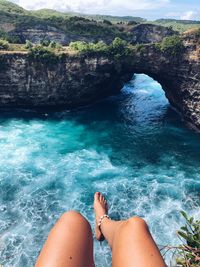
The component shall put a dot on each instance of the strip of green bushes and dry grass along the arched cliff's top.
(117, 48)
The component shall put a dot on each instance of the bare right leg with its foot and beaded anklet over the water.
(131, 242)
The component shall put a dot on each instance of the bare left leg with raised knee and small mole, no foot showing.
(69, 244)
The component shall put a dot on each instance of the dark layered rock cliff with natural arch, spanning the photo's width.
(78, 80)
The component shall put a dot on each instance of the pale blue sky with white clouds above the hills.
(149, 9)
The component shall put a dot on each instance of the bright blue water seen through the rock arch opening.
(143, 100)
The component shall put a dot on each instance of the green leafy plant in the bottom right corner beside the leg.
(188, 253)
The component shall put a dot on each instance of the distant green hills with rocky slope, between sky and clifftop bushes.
(18, 24)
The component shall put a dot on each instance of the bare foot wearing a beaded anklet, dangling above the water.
(100, 208)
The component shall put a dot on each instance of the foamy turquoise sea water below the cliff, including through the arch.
(132, 147)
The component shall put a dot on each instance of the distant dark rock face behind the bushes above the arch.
(150, 33)
